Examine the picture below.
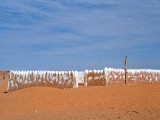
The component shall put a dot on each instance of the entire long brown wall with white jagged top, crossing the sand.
(71, 79)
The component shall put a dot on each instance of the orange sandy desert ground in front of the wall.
(119, 102)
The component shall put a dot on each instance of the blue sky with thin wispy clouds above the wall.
(79, 34)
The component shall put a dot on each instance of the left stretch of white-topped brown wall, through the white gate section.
(60, 79)
